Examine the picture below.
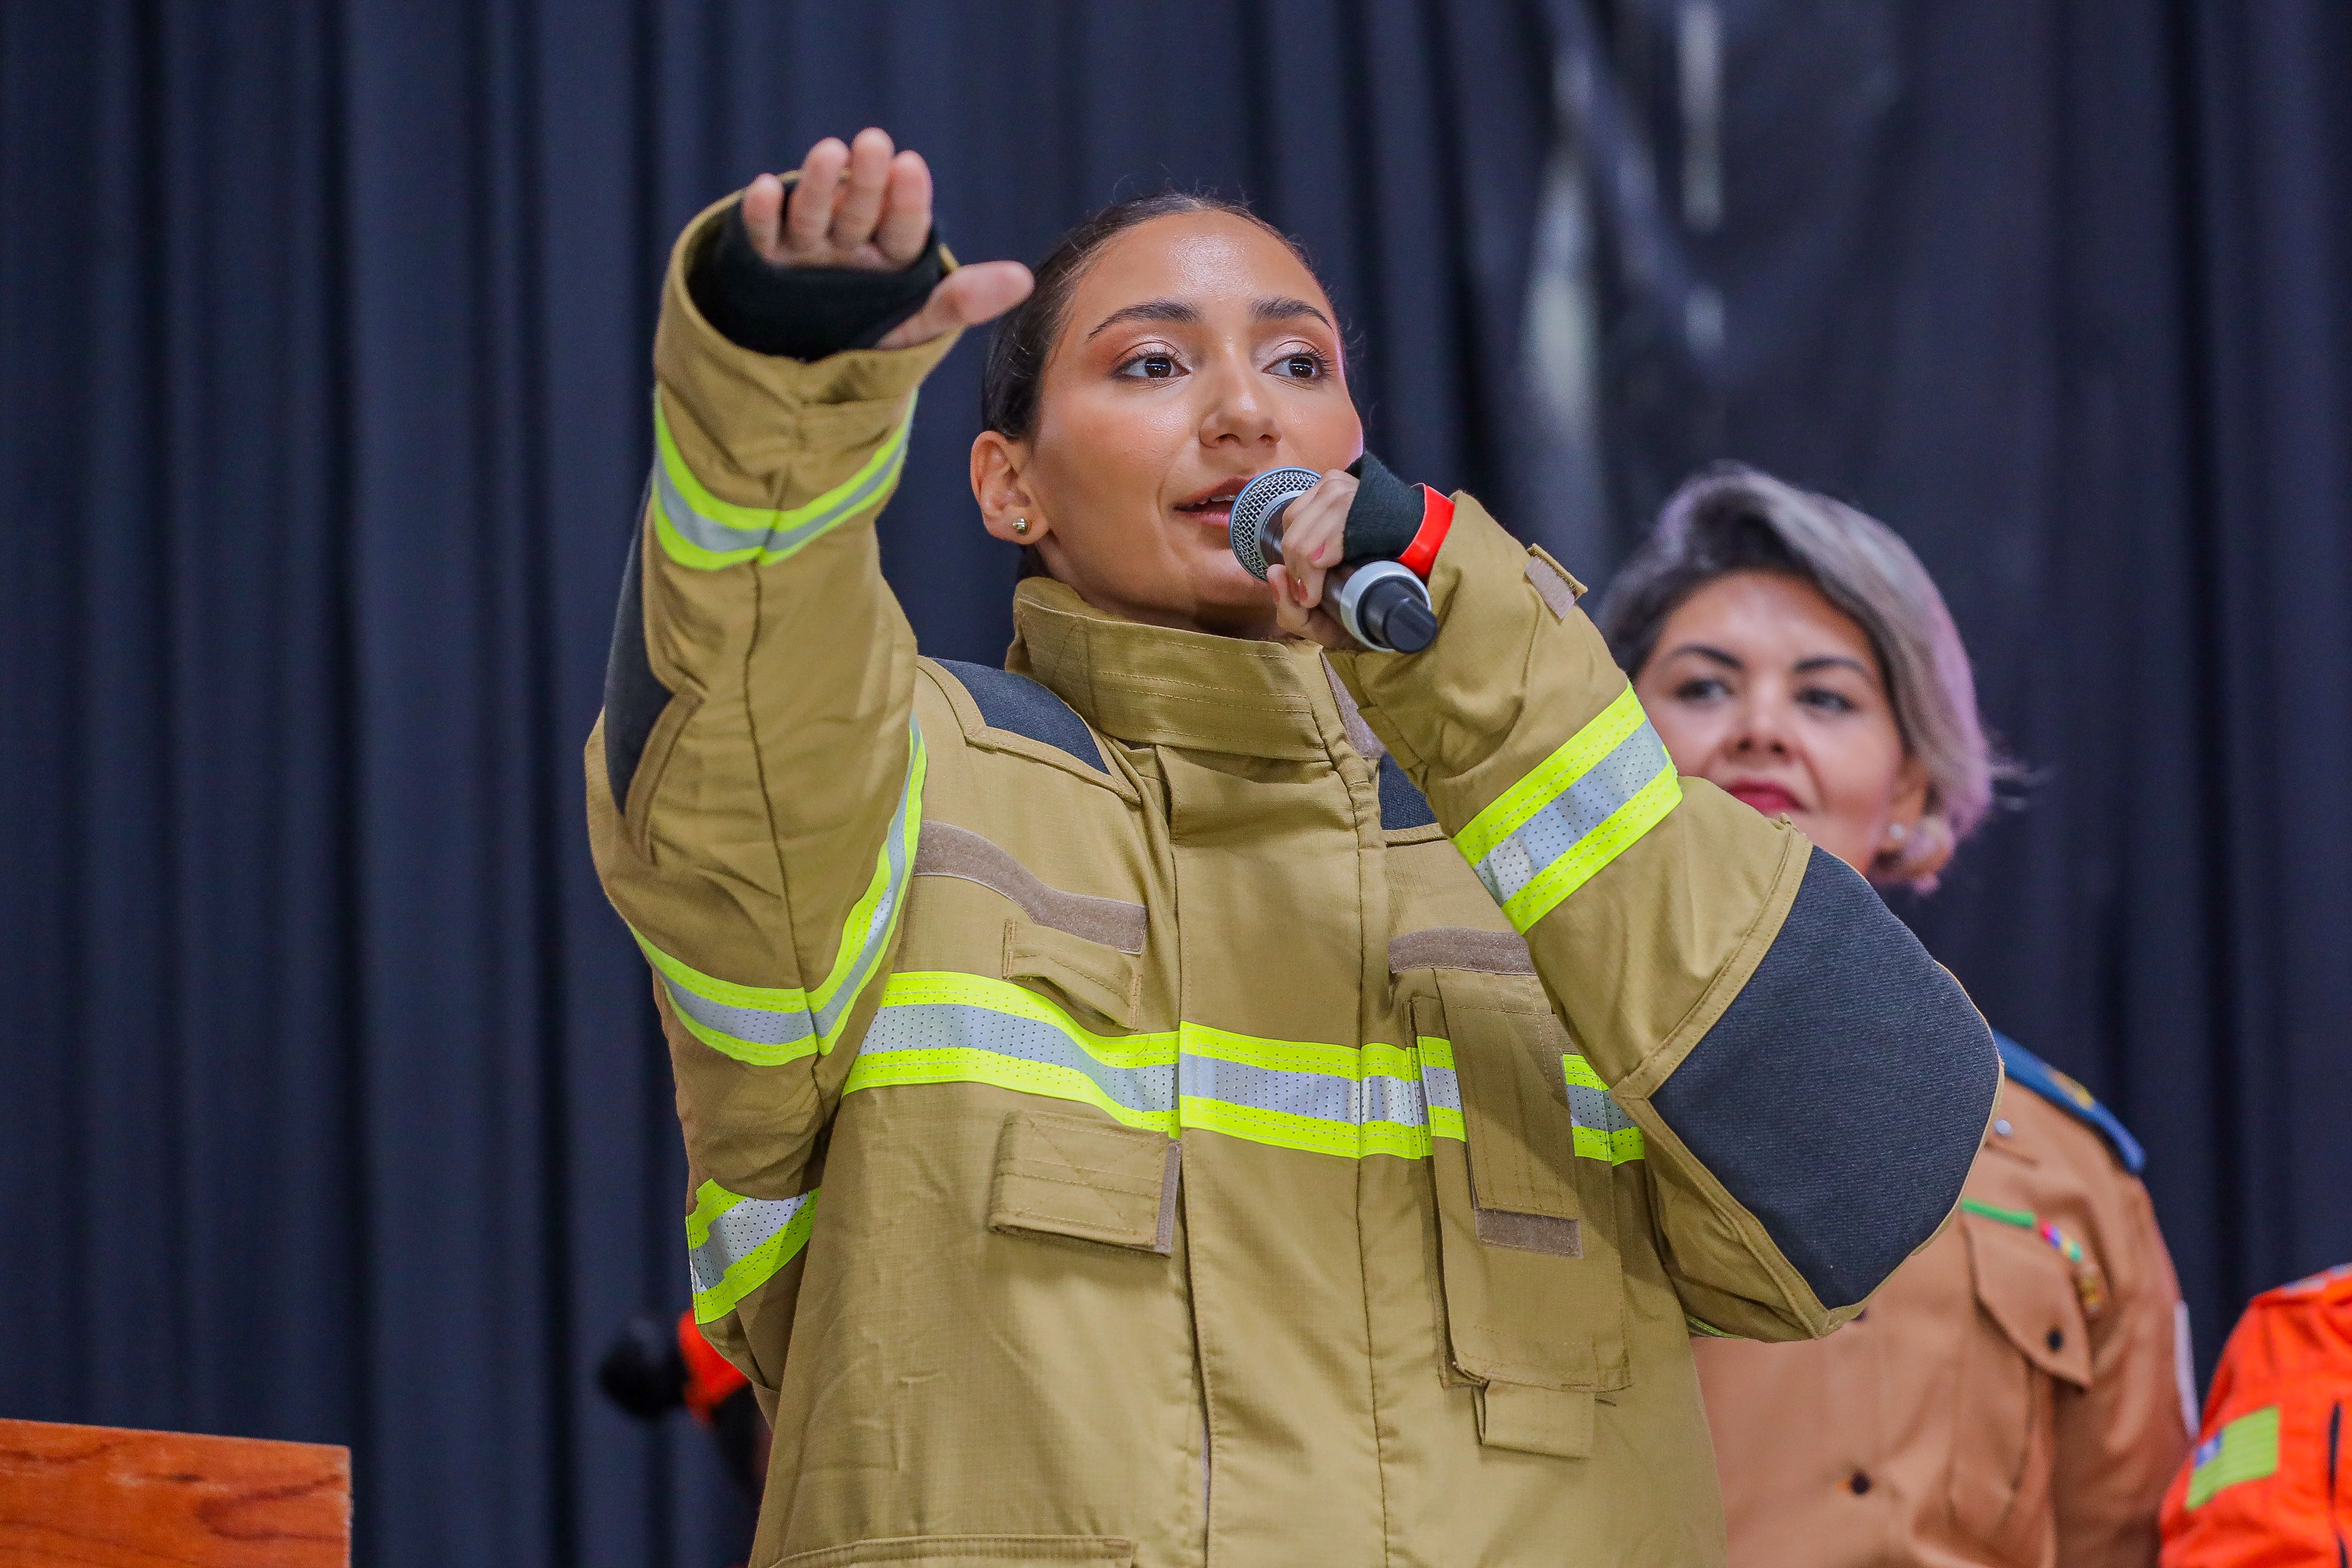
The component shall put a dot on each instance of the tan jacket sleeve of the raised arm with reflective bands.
(756, 779)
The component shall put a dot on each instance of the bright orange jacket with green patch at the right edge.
(2271, 1480)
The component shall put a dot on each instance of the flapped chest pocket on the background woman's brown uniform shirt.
(2026, 1351)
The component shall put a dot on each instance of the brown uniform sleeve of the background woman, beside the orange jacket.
(2123, 1440)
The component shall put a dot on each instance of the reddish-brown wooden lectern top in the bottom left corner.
(109, 1499)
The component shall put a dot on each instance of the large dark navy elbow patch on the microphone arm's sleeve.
(1843, 1092)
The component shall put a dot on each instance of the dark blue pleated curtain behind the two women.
(333, 1104)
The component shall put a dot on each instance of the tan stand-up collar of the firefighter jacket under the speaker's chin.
(1156, 685)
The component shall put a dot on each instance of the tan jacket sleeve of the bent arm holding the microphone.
(1810, 1083)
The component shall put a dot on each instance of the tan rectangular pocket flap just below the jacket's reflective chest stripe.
(1085, 1179)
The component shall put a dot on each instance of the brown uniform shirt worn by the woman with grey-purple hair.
(2014, 1395)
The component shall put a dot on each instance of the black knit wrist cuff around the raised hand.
(803, 311)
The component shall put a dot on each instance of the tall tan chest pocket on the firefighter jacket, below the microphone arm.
(1528, 1214)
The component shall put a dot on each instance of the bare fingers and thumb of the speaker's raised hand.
(867, 206)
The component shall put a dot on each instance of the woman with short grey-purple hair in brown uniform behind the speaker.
(2019, 1391)
